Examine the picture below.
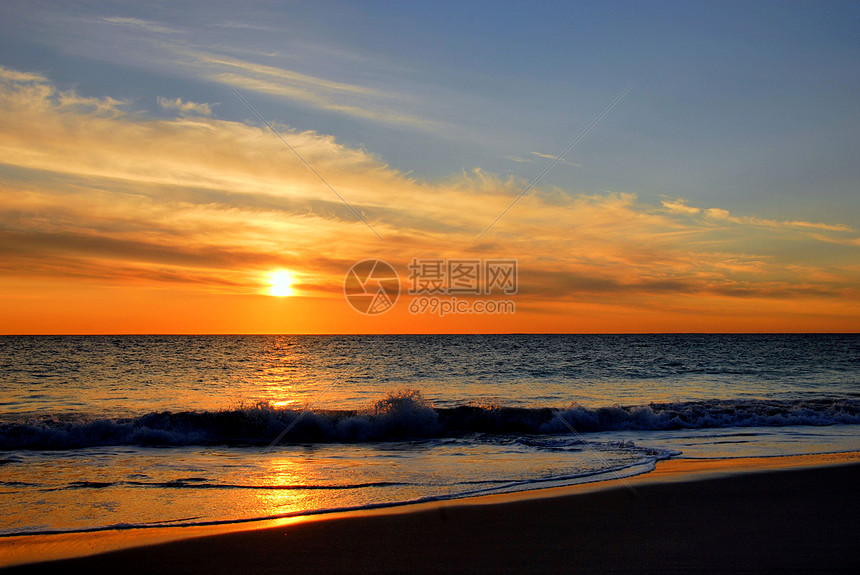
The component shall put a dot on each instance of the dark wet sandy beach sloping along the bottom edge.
(788, 514)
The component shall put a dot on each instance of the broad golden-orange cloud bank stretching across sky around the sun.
(91, 189)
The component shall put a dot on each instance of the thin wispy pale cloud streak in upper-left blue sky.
(301, 73)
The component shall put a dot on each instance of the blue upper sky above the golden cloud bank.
(750, 106)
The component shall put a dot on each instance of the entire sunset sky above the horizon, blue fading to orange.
(140, 194)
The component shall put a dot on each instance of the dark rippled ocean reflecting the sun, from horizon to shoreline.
(115, 432)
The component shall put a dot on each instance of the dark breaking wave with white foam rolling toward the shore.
(407, 415)
